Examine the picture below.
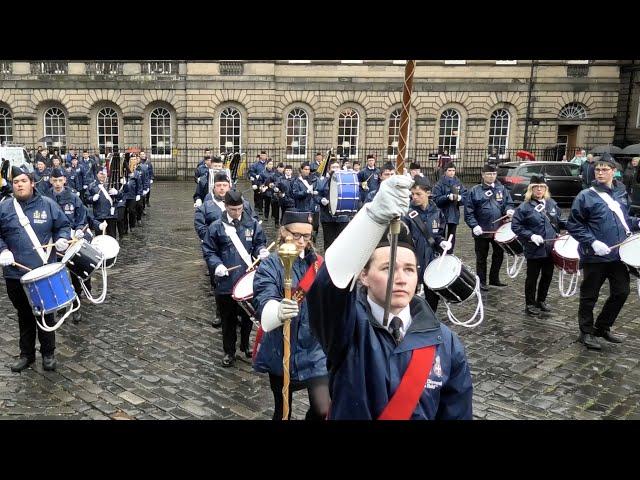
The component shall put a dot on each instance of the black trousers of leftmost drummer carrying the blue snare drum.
(27, 323)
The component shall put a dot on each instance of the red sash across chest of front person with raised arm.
(406, 397)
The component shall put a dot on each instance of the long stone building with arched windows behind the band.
(175, 109)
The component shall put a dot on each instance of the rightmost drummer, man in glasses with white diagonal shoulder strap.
(598, 222)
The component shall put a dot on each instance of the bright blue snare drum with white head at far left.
(48, 288)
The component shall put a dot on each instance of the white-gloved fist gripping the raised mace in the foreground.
(392, 199)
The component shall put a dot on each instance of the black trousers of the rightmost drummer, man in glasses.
(595, 275)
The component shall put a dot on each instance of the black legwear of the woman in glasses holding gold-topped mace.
(317, 389)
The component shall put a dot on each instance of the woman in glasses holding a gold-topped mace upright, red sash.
(308, 362)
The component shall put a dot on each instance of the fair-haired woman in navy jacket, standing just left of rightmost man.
(536, 221)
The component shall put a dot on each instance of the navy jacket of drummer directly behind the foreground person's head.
(435, 223)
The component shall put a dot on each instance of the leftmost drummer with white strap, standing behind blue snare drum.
(46, 222)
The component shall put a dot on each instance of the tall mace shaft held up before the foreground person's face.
(394, 227)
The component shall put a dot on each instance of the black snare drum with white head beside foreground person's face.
(447, 276)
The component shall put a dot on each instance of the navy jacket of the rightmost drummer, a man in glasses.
(591, 219)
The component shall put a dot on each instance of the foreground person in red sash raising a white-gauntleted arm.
(371, 362)
